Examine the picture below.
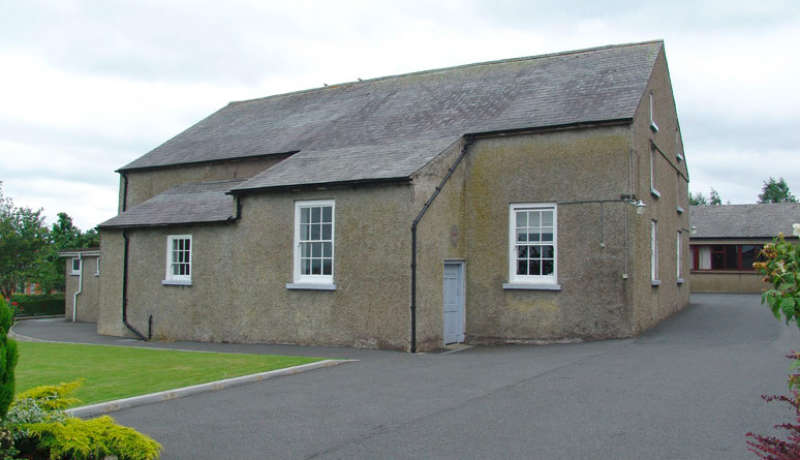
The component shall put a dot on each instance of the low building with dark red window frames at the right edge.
(726, 240)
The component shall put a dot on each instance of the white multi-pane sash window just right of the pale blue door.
(533, 243)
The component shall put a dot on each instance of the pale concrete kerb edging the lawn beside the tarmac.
(152, 398)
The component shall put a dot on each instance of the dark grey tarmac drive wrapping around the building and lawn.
(686, 389)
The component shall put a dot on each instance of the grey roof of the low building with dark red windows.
(743, 220)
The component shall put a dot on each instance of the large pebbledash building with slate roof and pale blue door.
(534, 199)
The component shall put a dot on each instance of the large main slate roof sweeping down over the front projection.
(391, 127)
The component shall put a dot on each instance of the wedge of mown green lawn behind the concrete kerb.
(119, 372)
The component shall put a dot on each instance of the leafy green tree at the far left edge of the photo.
(23, 237)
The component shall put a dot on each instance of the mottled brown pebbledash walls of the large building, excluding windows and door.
(593, 175)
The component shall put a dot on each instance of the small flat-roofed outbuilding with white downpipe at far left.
(82, 288)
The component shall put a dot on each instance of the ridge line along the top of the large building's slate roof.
(460, 66)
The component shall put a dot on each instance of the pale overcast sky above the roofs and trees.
(86, 87)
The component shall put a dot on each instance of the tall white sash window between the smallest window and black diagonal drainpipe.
(314, 242)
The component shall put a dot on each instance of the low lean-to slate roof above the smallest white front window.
(182, 204)
